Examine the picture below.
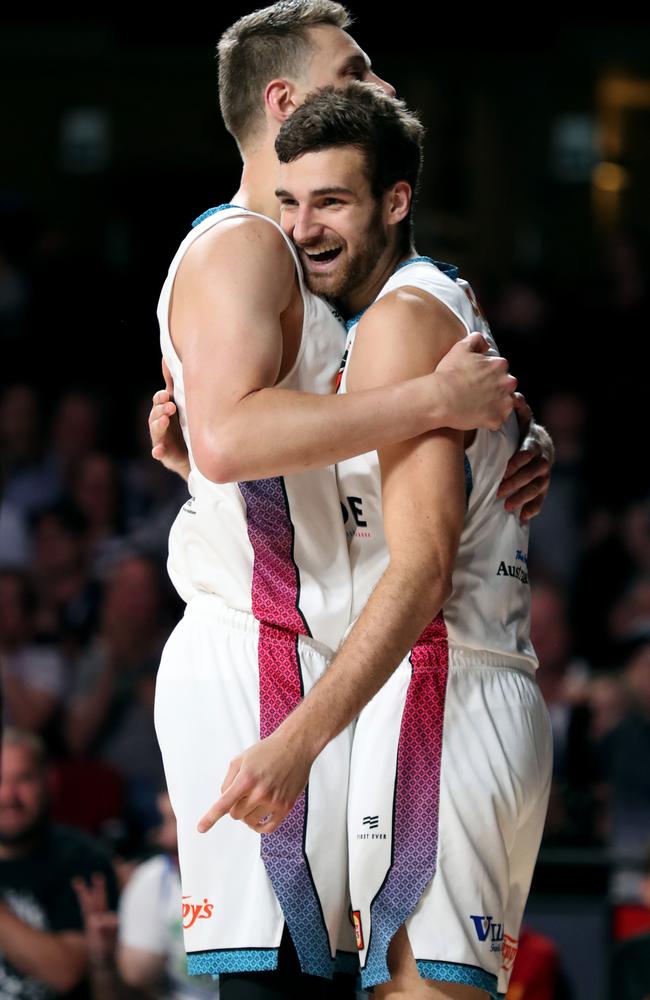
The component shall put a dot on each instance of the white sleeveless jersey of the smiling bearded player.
(490, 603)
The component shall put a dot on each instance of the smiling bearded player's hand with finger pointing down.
(264, 781)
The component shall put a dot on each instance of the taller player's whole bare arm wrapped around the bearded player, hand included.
(231, 291)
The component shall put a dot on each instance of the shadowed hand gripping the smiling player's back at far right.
(528, 474)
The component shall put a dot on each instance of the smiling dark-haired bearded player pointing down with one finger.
(451, 760)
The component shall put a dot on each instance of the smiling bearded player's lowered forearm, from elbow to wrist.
(404, 602)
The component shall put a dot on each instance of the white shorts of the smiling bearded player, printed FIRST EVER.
(449, 783)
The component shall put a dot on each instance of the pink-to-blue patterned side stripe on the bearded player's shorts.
(417, 794)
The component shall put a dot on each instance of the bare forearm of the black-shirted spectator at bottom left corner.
(38, 954)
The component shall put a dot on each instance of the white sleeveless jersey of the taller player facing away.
(275, 547)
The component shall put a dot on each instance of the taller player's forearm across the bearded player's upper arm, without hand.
(275, 432)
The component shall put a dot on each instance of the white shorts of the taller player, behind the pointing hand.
(224, 679)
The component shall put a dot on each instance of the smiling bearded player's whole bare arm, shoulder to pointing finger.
(423, 497)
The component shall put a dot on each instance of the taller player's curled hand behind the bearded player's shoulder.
(478, 389)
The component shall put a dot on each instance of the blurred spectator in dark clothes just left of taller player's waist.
(110, 710)
